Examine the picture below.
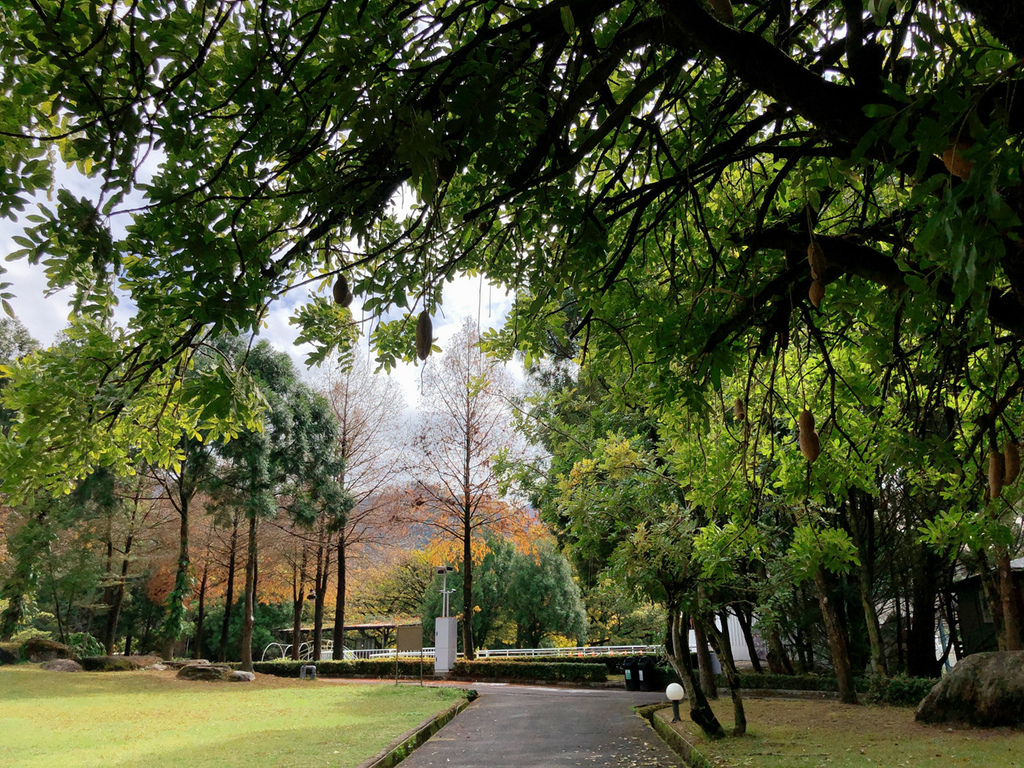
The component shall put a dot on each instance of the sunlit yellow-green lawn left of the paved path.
(153, 719)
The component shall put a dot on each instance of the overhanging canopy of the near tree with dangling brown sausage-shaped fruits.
(656, 170)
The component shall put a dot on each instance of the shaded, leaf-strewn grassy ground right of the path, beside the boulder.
(798, 734)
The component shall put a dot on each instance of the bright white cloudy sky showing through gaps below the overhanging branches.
(47, 316)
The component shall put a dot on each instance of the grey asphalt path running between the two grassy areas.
(511, 727)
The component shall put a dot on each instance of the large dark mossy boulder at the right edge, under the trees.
(985, 690)
